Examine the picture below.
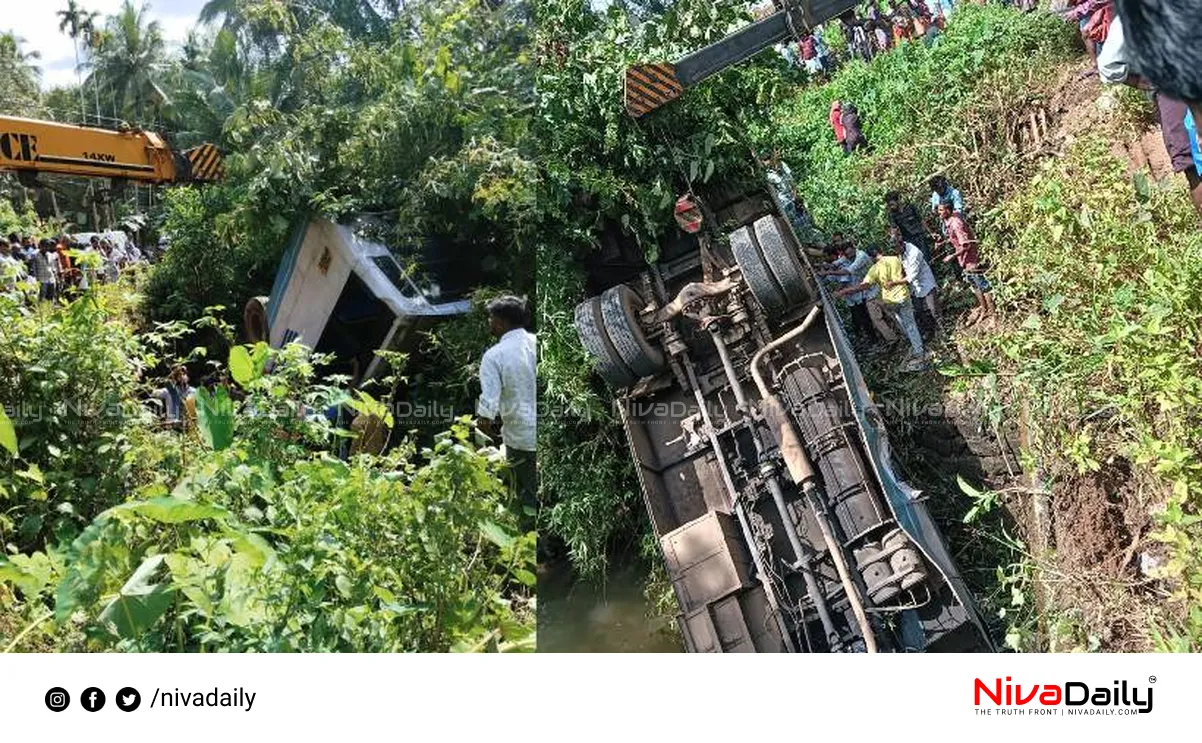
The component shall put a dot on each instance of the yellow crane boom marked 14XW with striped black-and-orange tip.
(49, 147)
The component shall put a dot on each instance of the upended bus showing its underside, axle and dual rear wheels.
(764, 465)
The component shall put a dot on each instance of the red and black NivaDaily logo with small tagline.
(1072, 698)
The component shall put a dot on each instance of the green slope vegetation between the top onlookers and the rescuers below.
(920, 108)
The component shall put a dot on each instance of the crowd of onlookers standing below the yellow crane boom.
(63, 268)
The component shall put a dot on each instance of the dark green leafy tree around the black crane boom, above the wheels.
(612, 168)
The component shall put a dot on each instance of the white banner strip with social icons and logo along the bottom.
(529, 698)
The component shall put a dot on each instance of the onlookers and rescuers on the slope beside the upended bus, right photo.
(884, 286)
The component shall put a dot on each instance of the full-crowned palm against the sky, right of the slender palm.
(130, 58)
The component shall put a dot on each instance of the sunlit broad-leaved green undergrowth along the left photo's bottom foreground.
(312, 555)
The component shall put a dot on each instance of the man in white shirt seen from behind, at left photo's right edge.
(508, 393)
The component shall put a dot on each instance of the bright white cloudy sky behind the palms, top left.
(35, 21)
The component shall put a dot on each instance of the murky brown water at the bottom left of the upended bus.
(579, 617)
